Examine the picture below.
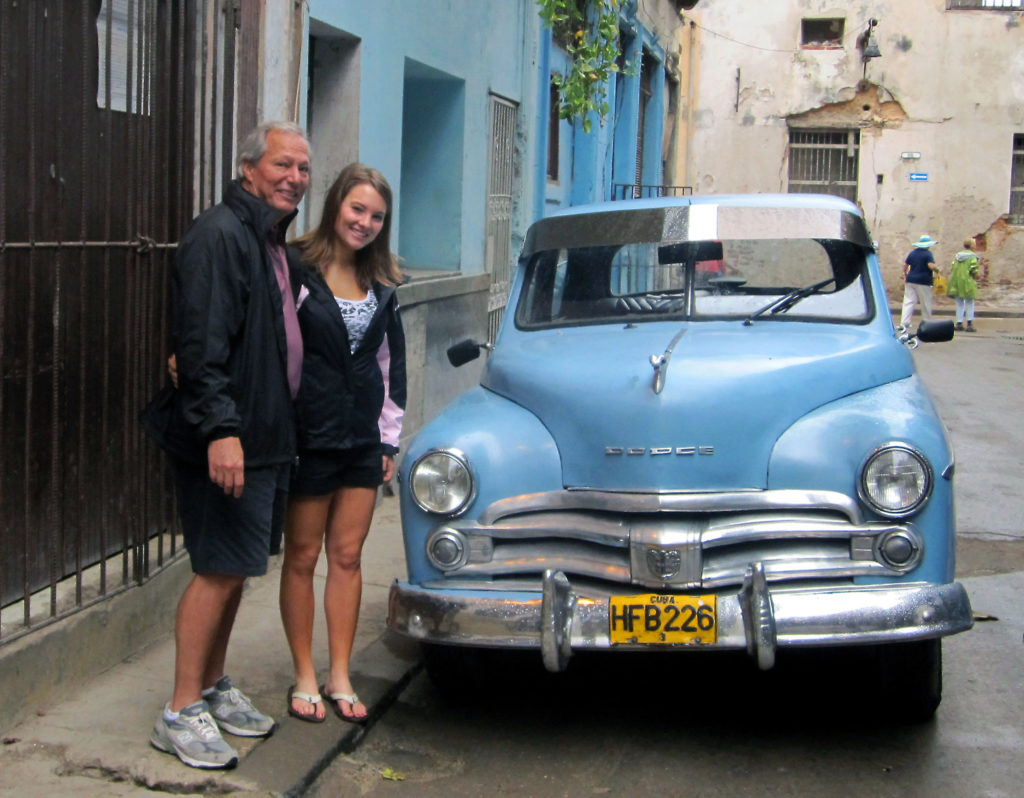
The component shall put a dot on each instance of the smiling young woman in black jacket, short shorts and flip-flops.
(350, 415)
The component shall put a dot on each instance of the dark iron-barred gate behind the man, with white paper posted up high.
(100, 153)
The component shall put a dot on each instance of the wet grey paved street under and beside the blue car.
(708, 727)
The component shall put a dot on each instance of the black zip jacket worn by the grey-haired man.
(230, 339)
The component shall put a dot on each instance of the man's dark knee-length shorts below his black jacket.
(225, 535)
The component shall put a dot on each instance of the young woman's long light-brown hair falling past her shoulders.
(321, 247)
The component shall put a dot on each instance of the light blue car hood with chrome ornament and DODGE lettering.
(731, 391)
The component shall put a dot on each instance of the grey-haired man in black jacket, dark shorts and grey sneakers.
(231, 430)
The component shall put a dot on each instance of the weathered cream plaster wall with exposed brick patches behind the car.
(934, 91)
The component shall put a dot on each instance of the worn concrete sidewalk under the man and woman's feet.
(96, 742)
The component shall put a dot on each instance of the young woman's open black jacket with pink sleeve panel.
(349, 400)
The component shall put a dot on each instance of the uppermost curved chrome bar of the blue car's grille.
(731, 502)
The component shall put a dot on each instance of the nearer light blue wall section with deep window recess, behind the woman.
(465, 50)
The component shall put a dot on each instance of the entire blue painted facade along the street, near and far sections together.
(452, 54)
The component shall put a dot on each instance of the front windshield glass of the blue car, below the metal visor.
(697, 280)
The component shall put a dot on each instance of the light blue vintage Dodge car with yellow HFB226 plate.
(698, 428)
